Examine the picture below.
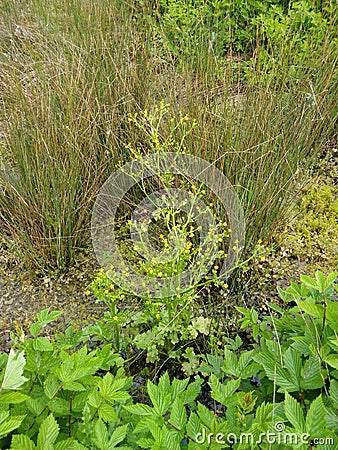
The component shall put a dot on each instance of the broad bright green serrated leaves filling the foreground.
(60, 393)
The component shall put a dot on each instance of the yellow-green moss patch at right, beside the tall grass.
(309, 242)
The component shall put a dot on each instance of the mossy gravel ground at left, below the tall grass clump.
(21, 298)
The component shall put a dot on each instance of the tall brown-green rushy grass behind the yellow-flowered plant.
(72, 76)
